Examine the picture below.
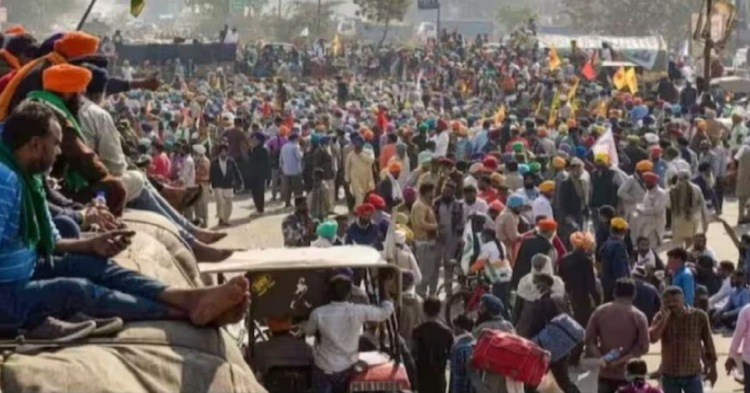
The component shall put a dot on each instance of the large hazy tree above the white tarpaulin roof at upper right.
(668, 18)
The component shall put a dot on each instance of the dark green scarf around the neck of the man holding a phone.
(36, 228)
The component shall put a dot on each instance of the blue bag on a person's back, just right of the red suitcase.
(560, 336)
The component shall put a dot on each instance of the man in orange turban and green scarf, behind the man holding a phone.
(84, 176)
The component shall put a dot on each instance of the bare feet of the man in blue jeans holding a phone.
(219, 300)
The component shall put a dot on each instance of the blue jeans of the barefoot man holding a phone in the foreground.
(64, 286)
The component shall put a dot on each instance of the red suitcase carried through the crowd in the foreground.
(511, 356)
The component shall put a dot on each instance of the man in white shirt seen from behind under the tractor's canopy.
(339, 324)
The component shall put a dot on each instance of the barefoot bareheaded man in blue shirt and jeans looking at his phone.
(36, 285)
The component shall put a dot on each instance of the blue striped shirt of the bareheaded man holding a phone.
(17, 261)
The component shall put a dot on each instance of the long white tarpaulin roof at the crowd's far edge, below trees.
(643, 51)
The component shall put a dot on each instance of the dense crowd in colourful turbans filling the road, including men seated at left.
(512, 163)
